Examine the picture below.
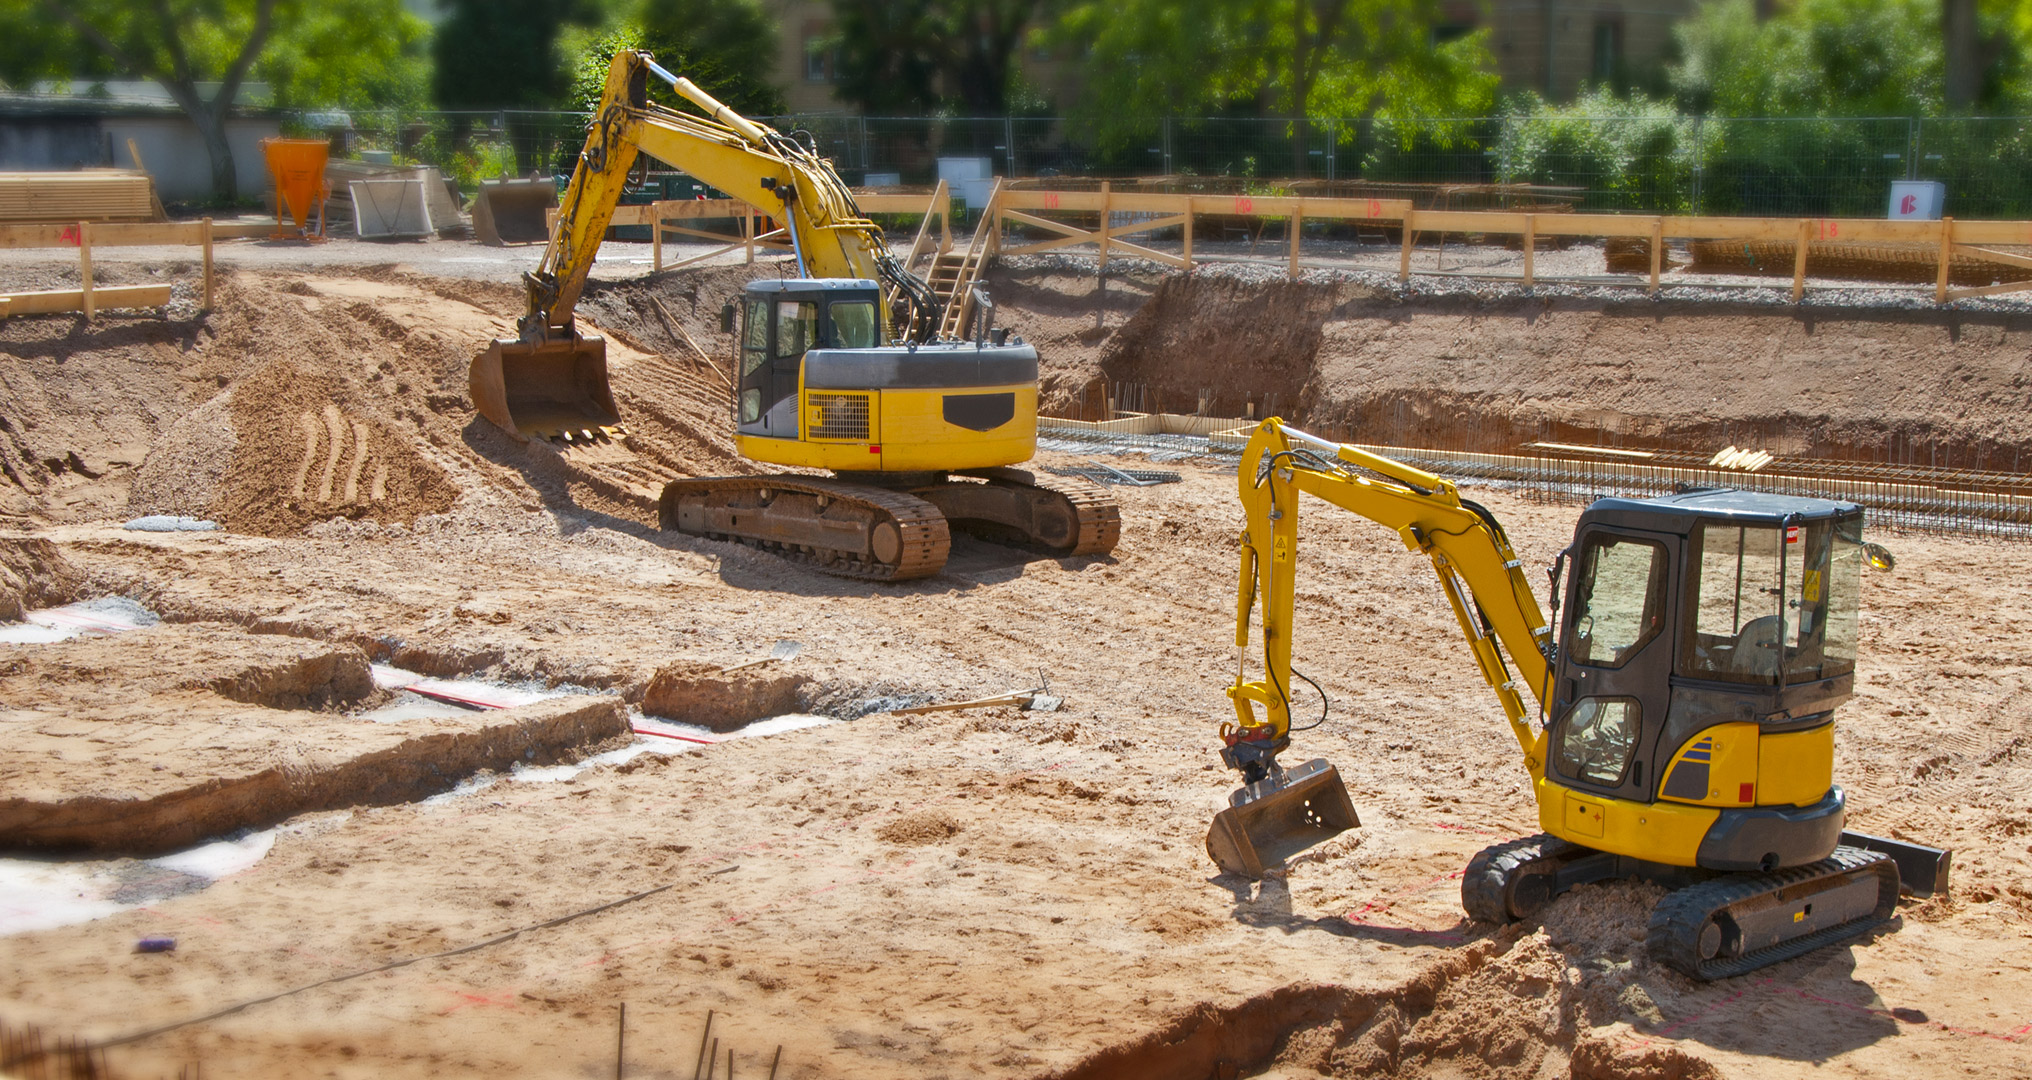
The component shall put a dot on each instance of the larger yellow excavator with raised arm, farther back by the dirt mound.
(838, 369)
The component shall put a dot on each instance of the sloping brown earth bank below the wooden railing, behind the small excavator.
(1931, 387)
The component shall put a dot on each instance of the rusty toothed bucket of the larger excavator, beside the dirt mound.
(546, 392)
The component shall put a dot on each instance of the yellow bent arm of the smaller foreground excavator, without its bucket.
(1470, 552)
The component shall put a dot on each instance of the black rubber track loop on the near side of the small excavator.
(1675, 926)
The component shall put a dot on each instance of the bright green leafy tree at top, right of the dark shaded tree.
(1273, 58)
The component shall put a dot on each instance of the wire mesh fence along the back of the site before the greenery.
(1791, 168)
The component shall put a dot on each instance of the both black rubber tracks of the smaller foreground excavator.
(1712, 924)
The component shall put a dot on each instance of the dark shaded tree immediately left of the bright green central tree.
(922, 56)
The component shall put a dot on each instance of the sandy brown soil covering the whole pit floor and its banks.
(993, 892)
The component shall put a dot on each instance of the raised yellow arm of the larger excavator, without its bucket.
(733, 154)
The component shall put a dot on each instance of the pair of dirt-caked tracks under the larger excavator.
(893, 534)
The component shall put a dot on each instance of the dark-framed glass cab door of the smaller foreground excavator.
(1614, 664)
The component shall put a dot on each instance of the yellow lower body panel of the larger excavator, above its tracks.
(909, 434)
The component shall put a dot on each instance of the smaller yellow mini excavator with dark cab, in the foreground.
(1686, 703)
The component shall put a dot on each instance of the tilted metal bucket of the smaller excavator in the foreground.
(1277, 819)
